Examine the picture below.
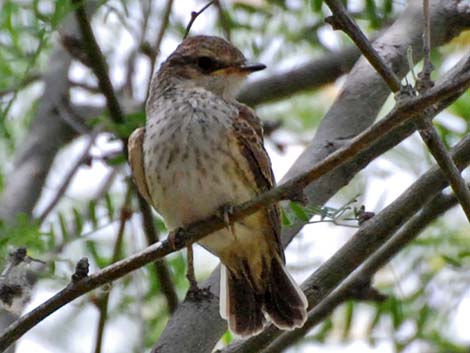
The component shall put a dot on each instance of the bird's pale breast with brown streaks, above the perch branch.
(192, 162)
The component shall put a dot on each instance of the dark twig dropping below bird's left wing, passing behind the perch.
(161, 267)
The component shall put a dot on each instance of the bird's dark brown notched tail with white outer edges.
(245, 304)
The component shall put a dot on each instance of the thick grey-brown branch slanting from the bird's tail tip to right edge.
(368, 239)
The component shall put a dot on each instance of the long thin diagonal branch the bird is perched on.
(197, 230)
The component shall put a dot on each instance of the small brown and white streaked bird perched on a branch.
(201, 151)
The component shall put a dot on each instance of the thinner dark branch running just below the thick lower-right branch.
(411, 230)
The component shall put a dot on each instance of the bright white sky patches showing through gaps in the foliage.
(381, 184)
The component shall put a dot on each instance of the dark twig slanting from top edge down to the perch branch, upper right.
(341, 20)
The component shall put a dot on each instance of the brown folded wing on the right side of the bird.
(249, 134)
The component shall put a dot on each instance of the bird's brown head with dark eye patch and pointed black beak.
(208, 62)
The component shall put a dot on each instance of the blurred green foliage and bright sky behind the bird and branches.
(427, 285)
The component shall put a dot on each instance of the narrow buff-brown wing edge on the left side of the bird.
(136, 161)
